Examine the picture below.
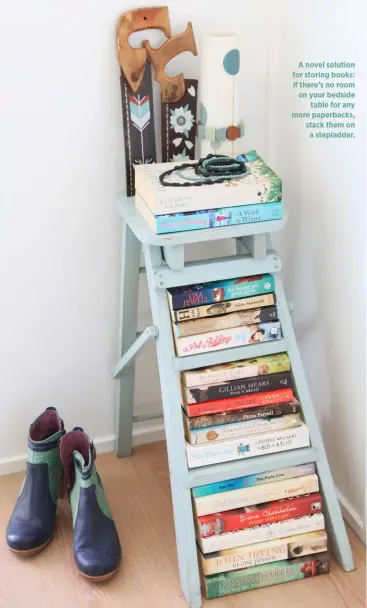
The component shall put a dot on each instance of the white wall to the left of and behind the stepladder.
(61, 143)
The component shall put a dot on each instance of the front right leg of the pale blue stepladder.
(333, 515)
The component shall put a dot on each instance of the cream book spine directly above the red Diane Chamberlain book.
(255, 495)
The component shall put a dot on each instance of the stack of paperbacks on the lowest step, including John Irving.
(260, 530)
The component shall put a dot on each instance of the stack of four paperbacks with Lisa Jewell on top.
(223, 314)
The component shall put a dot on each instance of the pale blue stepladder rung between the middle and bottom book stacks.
(251, 466)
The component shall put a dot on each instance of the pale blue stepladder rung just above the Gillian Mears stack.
(228, 355)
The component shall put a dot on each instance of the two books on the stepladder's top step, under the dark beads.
(256, 197)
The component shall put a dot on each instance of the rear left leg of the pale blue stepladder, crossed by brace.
(130, 261)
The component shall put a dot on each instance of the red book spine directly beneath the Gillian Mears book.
(283, 395)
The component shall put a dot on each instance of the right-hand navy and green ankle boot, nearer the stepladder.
(96, 544)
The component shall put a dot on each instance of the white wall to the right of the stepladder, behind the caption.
(323, 247)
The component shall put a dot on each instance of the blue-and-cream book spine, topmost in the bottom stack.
(249, 481)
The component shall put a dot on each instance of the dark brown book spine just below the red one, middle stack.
(256, 413)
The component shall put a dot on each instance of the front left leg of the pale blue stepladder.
(181, 494)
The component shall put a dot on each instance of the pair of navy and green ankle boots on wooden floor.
(58, 460)
